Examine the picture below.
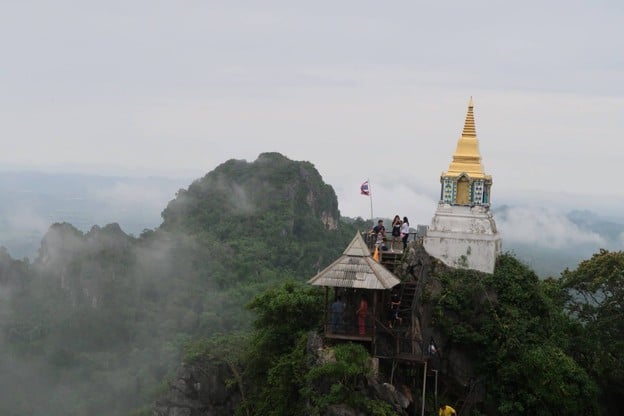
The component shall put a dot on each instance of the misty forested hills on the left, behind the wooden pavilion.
(96, 323)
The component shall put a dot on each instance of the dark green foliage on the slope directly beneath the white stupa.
(510, 325)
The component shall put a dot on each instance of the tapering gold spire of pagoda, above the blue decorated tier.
(467, 158)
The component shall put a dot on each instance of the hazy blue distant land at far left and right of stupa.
(547, 240)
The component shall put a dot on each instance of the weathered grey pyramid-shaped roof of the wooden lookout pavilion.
(356, 269)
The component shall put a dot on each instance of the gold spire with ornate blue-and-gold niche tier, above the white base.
(465, 182)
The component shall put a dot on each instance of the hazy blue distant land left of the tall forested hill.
(32, 201)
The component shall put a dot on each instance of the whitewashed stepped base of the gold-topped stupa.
(464, 237)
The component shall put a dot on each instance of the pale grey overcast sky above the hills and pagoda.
(362, 89)
